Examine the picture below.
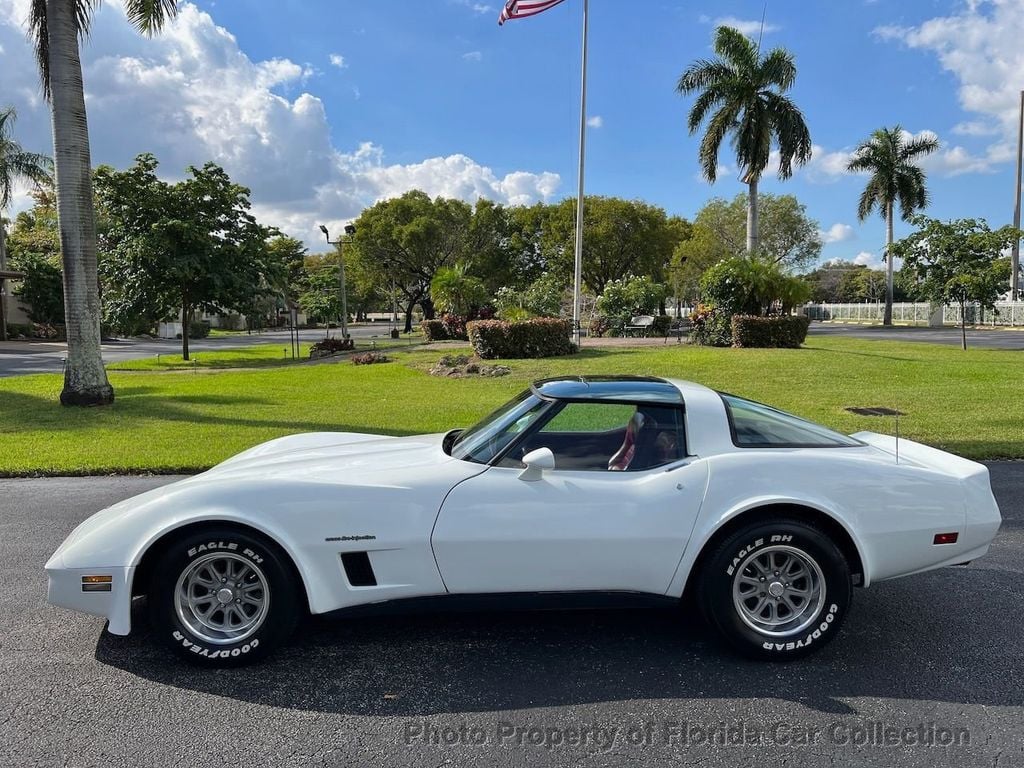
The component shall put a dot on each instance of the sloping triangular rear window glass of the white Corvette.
(756, 425)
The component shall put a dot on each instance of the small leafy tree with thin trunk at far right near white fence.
(959, 263)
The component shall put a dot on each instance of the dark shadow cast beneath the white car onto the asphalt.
(947, 636)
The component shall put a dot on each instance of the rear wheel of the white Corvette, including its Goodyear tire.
(776, 590)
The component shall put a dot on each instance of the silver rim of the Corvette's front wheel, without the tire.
(223, 599)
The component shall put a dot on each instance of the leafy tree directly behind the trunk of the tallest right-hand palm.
(789, 237)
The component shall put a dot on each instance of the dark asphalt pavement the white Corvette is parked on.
(941, 652)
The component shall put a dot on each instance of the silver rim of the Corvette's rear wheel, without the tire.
(779, 591)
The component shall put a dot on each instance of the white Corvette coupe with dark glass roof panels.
(595, 488)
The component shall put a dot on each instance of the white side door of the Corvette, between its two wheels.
(574, 530)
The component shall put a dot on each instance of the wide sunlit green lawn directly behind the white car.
(968, 403)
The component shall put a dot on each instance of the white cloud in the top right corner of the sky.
(980, 47)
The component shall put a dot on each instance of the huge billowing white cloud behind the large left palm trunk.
(191, 95)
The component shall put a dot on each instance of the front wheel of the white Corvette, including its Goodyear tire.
(223, 598)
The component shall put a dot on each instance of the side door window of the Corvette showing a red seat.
(610, 437)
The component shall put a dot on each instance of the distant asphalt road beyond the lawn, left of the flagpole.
(21, 358)
